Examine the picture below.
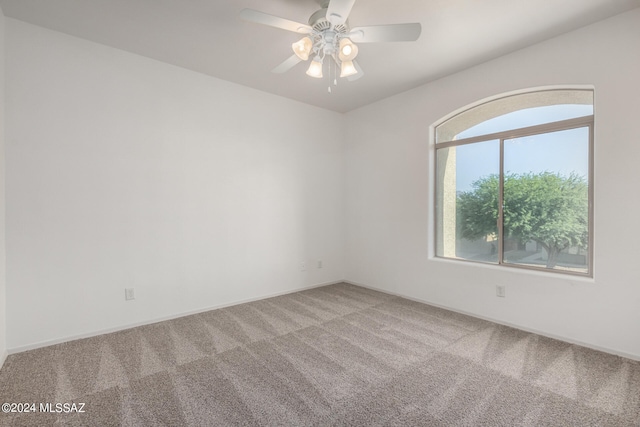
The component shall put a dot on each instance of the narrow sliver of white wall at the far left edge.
(3, 301)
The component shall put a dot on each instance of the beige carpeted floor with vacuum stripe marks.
(336, 355)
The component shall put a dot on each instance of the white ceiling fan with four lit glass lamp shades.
(328, 35)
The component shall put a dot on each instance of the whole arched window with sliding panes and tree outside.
(514, 182)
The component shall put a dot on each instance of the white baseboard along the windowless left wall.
(156, 320)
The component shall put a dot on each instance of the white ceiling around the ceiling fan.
(207, 36)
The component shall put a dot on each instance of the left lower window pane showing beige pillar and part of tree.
(467, 201)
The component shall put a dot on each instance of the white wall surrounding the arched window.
(389, 178)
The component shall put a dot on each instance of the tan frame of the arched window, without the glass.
(549, 127)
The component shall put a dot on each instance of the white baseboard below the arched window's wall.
(509, 324)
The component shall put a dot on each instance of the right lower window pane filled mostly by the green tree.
(546, 200)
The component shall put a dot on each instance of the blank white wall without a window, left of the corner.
(126, 172)
